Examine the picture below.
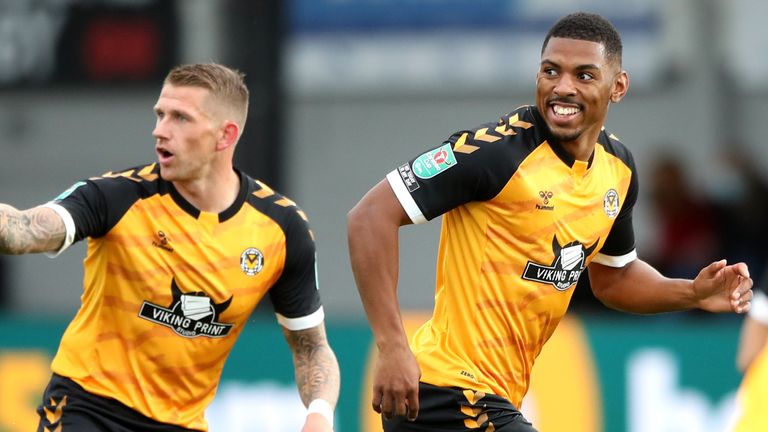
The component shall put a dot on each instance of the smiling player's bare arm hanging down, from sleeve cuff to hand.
(372, 232)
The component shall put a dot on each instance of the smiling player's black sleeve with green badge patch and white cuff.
(458, 171)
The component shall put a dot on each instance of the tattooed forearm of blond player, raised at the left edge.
(39, 229)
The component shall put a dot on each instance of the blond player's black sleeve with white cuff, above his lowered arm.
(295, 295)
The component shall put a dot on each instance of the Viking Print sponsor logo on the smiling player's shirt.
(565, 270)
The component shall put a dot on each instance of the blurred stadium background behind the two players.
(342, 92)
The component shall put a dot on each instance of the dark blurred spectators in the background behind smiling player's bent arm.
(693, 225)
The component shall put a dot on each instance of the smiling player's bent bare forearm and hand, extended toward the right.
(637, 287)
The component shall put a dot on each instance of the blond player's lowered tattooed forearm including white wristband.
(317, 375)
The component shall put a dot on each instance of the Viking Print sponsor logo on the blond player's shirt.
(189, 315)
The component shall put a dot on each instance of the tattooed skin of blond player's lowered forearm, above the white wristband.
(317, 371)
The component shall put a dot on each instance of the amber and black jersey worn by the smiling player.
(521, 220)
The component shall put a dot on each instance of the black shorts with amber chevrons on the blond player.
(68, 405)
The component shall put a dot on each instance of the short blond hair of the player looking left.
(226, 85)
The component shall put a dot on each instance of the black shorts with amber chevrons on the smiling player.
(448, 409)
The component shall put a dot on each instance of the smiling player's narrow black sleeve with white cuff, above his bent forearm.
(619, 248)
